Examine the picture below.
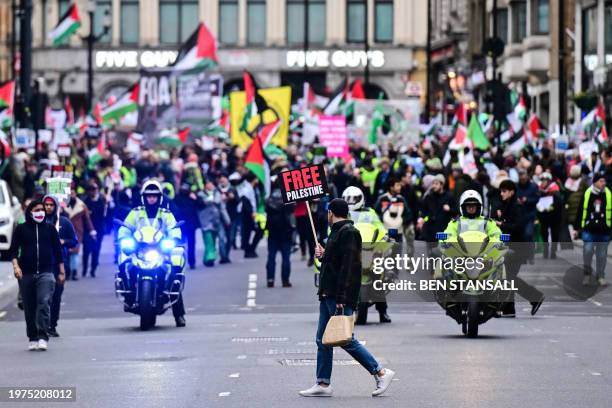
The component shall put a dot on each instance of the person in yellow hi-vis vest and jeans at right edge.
(594, 220)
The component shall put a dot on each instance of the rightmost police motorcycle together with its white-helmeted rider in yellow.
(471, 295)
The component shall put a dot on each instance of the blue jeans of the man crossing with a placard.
(325, 354)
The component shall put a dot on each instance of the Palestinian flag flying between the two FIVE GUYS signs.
(198, 52)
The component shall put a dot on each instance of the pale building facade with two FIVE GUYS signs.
(267, 37)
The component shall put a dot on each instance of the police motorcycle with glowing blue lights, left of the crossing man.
(150, 277)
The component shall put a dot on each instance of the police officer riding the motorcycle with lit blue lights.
(153, 210)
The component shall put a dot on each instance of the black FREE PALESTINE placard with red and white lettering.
(307, 183)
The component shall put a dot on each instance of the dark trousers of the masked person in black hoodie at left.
(36, 291)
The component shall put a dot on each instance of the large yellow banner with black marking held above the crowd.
(279, 104)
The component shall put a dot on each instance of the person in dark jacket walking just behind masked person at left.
(68, 239)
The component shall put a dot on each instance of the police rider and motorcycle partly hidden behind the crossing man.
(377, 242)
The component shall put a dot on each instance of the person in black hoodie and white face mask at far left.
(36, 252)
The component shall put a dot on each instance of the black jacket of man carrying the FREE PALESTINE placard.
(341, 265)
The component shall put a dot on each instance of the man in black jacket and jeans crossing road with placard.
(339, 287)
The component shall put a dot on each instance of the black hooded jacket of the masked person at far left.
(36, 246)
